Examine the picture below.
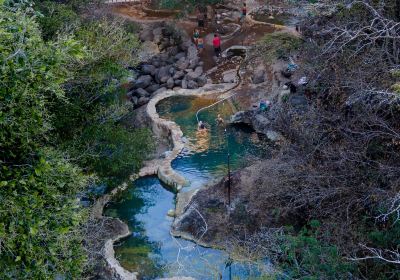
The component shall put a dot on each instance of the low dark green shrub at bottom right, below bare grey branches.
(306, 257)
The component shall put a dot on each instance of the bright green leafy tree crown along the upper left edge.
(32, 72)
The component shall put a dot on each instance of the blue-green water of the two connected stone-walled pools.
(151, 250)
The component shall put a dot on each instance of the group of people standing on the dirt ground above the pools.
(201, 23)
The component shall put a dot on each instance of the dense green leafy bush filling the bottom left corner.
(39, 217)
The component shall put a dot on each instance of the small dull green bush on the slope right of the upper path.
(278, 45)
